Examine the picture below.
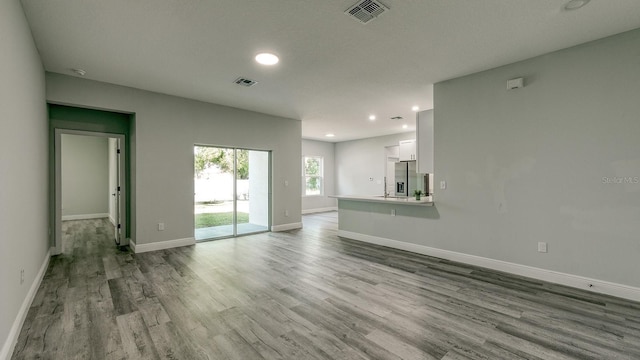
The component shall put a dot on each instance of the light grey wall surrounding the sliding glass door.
(166, 129)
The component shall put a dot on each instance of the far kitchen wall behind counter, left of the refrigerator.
(359, 160)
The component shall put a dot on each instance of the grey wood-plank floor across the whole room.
(307, 294)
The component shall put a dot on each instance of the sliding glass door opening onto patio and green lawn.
(232, 194)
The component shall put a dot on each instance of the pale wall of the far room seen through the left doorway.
(85, 176)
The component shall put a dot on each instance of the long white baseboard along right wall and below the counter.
(580, 282)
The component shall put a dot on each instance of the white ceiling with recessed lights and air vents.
(334, 71)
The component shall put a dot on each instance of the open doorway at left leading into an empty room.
(89, 181)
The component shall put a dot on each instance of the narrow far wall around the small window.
(312, 204)
